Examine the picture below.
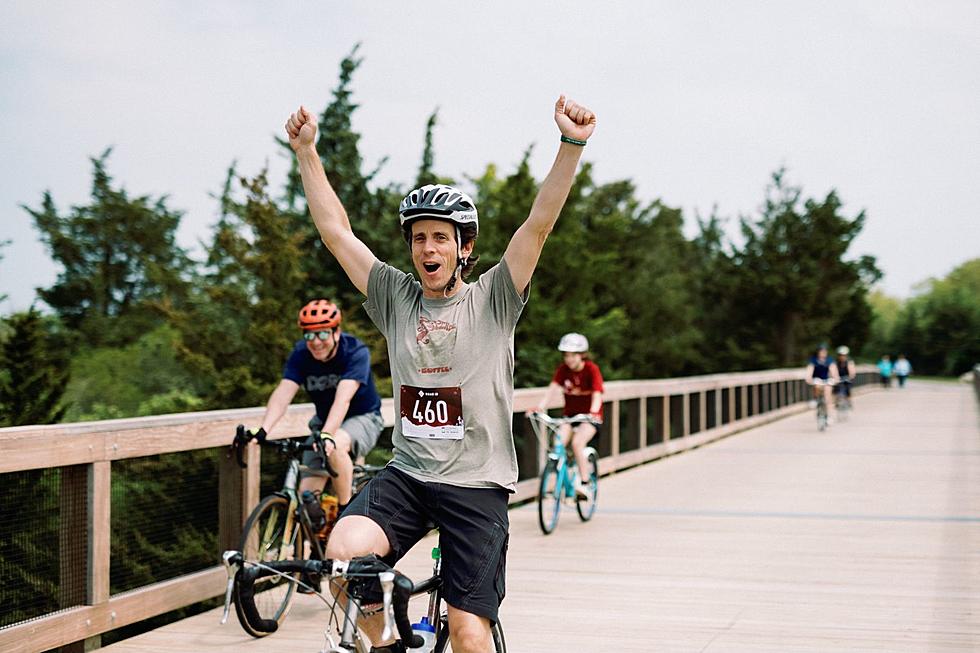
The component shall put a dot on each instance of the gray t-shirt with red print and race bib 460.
(449, 354)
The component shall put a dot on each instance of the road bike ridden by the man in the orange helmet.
(282, 526)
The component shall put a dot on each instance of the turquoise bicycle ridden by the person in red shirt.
(559, 478)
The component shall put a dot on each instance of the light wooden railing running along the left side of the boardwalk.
(644, 421)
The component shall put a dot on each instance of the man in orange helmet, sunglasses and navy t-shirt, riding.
(335, 370)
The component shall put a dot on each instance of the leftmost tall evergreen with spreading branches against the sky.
(119, 257)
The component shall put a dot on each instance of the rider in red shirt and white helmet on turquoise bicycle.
(581, 382)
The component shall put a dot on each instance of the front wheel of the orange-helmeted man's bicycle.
(265, 539)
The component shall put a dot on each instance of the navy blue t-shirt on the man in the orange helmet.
(319, 379)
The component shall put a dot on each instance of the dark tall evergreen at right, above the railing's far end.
(794, 287)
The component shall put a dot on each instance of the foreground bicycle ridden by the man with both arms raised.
(355, 584)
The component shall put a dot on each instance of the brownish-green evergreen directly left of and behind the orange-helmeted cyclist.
(238, 324)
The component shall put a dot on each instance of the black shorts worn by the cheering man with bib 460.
(473, 533)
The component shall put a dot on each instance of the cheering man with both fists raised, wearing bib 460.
(451, 347)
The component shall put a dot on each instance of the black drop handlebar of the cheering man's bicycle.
(396, 594)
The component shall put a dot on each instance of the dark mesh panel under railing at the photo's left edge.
(42, 562)
